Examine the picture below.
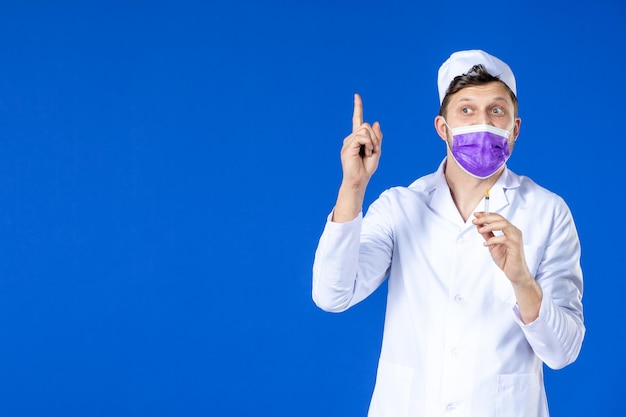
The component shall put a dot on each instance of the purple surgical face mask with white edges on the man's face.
(480, 149)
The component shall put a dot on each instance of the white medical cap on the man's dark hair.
(461, 62)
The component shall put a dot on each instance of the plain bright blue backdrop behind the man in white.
(166, 169)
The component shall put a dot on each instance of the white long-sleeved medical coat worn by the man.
(453, 342)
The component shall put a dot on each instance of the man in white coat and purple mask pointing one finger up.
(481, 293)
